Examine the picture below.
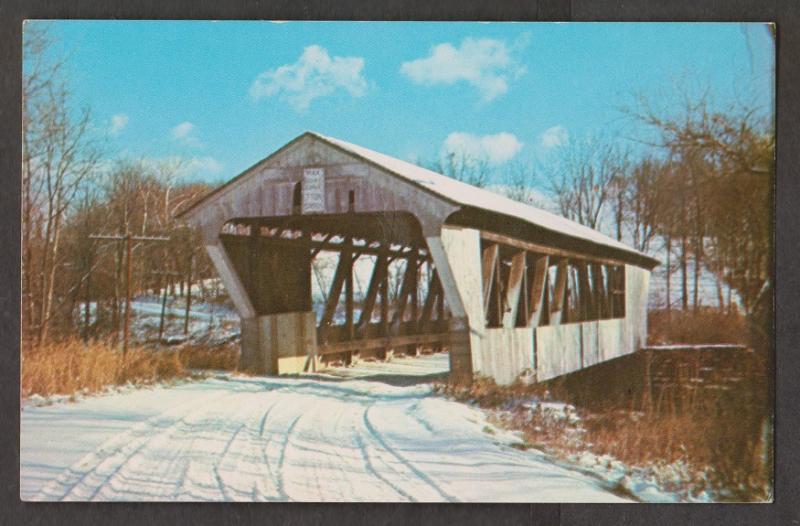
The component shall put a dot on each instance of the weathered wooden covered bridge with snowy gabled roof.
(505, 287)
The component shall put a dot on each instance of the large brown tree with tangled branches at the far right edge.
(724, 164)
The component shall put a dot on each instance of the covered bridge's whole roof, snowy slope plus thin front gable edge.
(470, 196)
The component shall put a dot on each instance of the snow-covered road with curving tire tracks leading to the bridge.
(276, 439)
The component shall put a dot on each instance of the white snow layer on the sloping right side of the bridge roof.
(467, 195)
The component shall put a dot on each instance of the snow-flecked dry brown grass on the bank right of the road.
(720, 434)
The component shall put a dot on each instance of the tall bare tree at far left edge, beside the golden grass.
(59, 154)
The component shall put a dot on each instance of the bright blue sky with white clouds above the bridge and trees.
(223, 95)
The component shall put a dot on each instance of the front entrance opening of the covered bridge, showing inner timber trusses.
(334, 289)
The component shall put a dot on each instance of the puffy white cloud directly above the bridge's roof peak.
(314, 75)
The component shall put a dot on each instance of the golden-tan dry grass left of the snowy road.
(70, 366)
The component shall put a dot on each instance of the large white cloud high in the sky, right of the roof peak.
(485, 63)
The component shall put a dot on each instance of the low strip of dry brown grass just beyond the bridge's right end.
(697, 326)
